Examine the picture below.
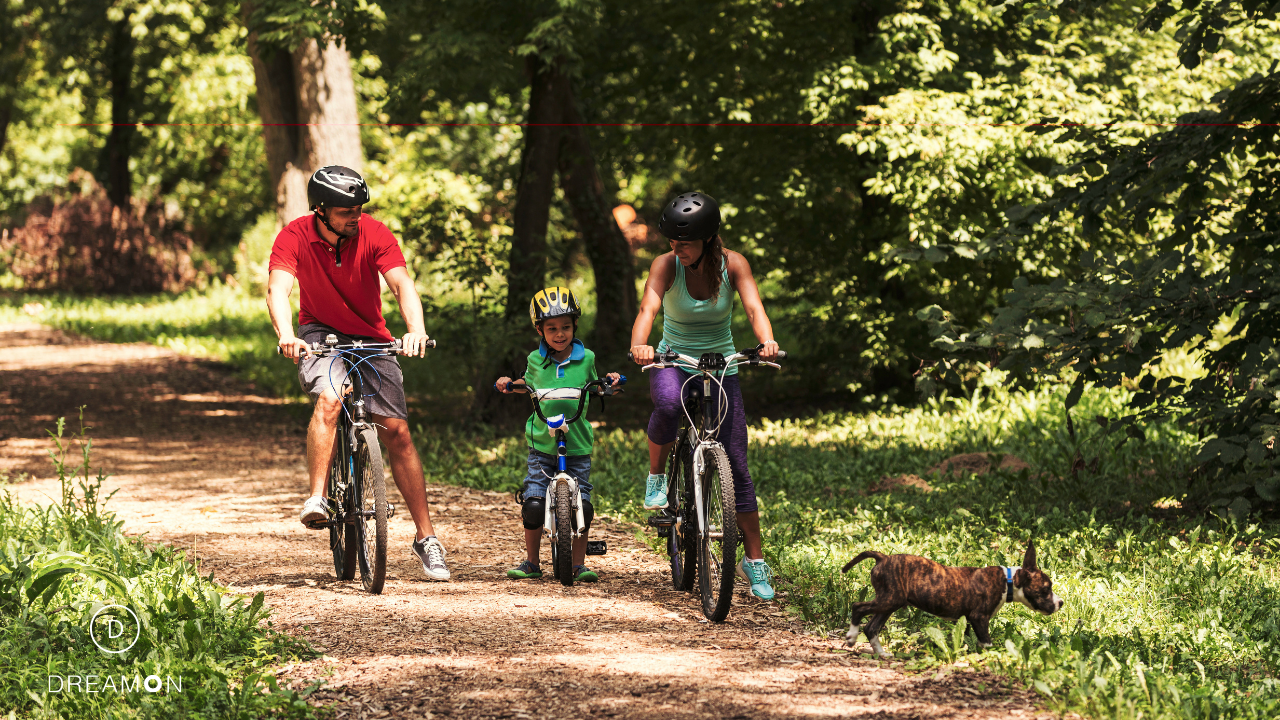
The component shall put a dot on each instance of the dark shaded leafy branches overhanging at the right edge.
(1200, 202)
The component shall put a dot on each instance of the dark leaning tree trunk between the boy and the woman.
(606, 247)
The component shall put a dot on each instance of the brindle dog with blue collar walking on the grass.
(975, 594)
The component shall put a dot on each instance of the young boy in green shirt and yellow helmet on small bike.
(561, 361)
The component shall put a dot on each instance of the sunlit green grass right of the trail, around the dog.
(1169, 614)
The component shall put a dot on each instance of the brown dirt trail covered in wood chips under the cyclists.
(205, 463)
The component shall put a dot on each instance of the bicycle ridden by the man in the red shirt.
(358, 484)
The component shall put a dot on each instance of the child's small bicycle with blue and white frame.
(564, 521)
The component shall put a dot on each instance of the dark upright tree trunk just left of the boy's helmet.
(527, 275)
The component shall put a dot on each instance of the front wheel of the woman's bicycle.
(717, 557)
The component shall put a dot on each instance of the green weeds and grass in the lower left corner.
(61, 564)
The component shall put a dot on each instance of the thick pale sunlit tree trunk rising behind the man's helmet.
(308, 104)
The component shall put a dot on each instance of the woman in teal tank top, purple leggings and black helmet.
(694, 288)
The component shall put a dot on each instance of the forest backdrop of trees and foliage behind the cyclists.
(1068, 190)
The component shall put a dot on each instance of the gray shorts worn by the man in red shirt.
(382, 376)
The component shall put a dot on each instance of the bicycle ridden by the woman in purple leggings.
(700, 522)
